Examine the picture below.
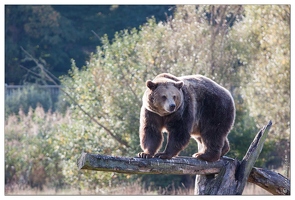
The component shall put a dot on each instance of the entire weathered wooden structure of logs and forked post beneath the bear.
(226, 176)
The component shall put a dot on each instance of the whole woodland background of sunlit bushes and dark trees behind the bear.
(102, 56)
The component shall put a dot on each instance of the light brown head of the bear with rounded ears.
(163, 98)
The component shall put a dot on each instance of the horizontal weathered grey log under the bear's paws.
(177, 165)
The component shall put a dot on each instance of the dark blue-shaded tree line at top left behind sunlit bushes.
(59, 33)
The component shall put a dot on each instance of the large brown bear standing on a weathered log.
(184, 107)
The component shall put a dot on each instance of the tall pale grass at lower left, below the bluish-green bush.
(31, 156)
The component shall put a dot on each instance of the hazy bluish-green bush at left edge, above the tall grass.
(26, 97)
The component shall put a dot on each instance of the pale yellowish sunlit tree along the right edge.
(266, 83)
